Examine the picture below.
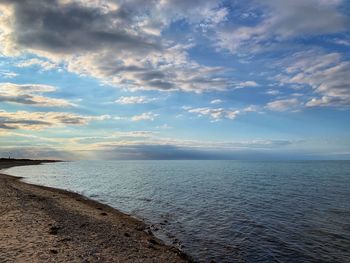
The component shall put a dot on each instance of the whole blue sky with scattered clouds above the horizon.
(166, 79)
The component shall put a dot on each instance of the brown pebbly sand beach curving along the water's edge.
(41, 224)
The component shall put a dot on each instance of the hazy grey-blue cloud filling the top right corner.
(283, 20)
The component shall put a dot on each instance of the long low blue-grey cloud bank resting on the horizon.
(176, 149)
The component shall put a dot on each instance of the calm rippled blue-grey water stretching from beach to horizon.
(229, 211)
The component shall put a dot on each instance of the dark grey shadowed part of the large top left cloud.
(72, 27)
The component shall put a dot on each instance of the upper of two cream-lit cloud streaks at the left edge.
(29, 94)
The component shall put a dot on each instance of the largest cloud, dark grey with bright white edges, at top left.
(116, 42)
